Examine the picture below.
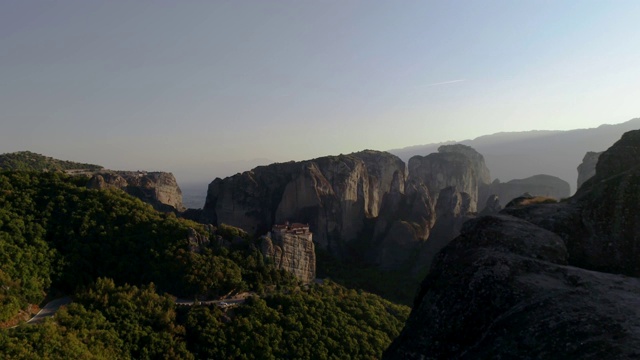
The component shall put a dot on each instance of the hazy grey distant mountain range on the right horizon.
(517, 155)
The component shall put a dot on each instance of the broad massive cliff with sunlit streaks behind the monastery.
(334, 194)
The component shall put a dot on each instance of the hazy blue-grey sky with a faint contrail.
(208, 88)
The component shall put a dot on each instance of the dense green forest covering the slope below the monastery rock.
(124, 263)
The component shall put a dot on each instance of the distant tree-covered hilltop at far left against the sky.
(29, 161)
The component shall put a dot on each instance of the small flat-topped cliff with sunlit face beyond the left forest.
(160, 189)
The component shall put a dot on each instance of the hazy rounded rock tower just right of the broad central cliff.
(454, 165)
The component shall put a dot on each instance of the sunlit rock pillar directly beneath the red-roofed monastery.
(291, 248)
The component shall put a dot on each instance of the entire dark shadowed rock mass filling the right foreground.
(552, 281)
